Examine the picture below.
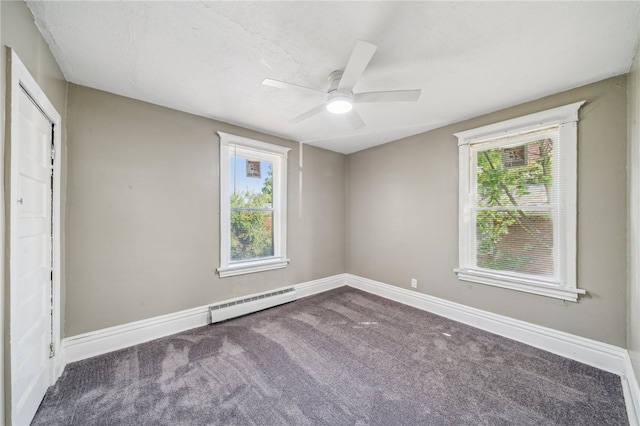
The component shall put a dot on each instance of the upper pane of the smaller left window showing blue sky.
(250, 183)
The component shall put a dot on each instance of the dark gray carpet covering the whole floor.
(343, 357)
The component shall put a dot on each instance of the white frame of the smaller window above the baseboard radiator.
(277, 155)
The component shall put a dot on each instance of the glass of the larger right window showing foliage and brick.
(514, 208)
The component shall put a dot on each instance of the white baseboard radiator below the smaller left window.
(247, 305)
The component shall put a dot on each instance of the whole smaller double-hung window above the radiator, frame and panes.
(253, 205)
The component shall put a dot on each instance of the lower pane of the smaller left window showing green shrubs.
(251, 234)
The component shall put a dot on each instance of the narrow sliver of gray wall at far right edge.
(633, 324)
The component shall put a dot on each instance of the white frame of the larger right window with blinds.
(564, 284)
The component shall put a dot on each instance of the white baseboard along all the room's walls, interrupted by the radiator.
(597, 354)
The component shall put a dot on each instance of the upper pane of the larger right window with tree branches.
(515, 176)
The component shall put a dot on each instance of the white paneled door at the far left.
(30, 257)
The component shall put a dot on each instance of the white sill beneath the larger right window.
(526, 285)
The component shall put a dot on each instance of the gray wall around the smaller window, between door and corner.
(143, 213)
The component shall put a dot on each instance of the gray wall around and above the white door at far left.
(18, 31)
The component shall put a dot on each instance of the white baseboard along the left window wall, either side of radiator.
(87, 345)
